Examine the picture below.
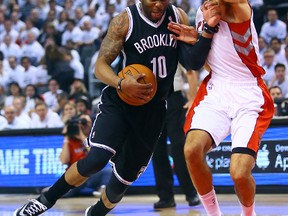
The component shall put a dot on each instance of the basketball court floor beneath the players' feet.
(142, 205)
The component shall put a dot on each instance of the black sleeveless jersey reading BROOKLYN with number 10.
(151, 44)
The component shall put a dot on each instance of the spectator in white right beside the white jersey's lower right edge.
(269, 65)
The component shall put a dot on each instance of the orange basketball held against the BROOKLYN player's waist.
(132, 70)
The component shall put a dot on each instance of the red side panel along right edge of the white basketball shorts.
(264, 118)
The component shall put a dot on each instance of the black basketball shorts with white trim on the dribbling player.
(129, 132)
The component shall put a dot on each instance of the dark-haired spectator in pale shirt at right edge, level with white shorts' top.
(281, 79)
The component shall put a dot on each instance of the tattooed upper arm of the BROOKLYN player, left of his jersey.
(114, 39)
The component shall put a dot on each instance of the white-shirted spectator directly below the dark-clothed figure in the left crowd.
(50, 97)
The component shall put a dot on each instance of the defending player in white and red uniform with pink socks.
(232, 99)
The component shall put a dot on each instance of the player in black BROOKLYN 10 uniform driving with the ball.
(123, 134)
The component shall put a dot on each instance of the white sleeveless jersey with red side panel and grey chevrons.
(234, 53)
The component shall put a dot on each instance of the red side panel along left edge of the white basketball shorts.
(202, 91)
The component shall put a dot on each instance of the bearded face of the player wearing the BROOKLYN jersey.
(153, 9)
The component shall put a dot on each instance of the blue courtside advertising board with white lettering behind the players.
(33, 161)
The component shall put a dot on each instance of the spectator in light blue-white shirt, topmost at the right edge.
(273, 27)
